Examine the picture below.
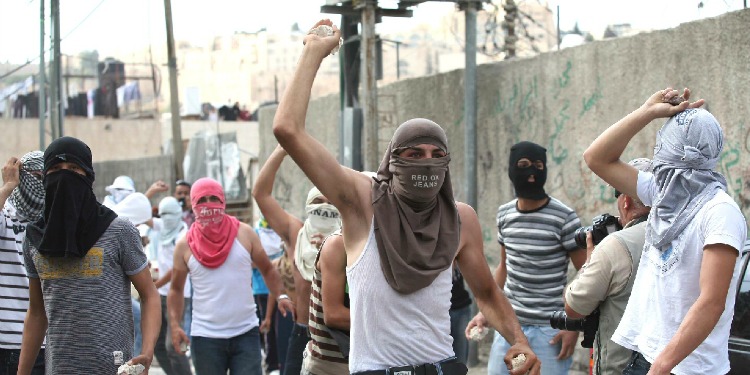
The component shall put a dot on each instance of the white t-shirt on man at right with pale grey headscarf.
(667, 285)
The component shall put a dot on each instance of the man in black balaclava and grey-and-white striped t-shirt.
(536, 233)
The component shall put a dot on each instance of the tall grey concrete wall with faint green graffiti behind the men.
(561, 100)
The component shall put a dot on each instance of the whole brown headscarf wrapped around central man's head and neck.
(415, 218)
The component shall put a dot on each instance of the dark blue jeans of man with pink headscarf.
(240, 354)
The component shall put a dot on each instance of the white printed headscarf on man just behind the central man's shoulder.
(322, 219)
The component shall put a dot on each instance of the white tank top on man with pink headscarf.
(223, 304)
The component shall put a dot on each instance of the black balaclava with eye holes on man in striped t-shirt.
(520, 176)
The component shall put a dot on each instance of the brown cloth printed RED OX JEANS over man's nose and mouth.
(418, 182)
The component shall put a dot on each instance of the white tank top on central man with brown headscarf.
(393, 329)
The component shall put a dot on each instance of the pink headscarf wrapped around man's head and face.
(213, 233)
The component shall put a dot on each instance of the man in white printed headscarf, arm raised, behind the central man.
(304, 238)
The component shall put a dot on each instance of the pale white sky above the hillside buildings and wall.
(112, 26)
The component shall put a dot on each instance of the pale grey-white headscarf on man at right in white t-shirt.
(687, 149)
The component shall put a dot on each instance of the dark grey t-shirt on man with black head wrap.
(87, 301)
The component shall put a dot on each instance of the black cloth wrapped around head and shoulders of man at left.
(73, 220)
